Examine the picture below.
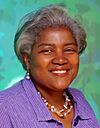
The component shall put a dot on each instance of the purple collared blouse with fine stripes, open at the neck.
(22, 107)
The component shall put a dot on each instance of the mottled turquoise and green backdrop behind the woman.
(87, 11)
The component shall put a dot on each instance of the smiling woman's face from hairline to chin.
(54, 59)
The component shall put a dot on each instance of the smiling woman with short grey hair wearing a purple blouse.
(48, 44)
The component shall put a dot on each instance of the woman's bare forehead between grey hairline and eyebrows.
(56, 35)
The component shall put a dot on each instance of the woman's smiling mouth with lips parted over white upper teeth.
(61, 73)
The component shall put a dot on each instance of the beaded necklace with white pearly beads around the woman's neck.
(66, 109)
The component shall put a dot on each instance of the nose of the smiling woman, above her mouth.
(60, 59)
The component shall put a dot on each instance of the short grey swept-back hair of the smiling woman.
(50, 16)
